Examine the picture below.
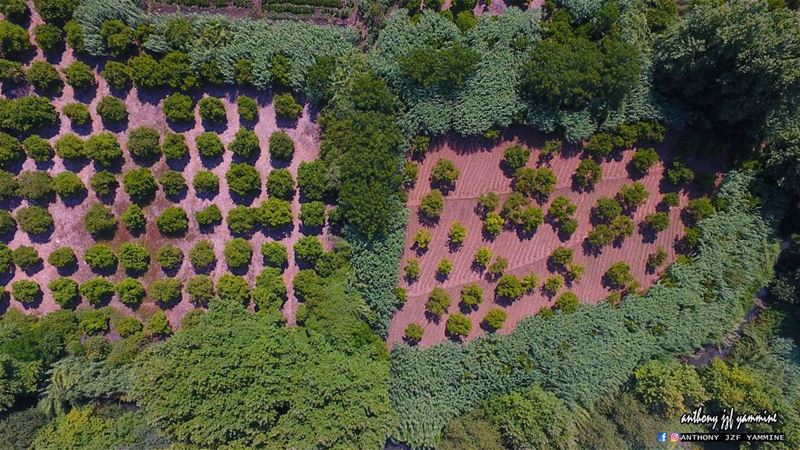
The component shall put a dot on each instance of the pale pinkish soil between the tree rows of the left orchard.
(145, 110)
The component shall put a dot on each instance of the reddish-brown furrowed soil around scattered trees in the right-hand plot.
(480, 172)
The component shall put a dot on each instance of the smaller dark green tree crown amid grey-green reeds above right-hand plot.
(429, 66)
